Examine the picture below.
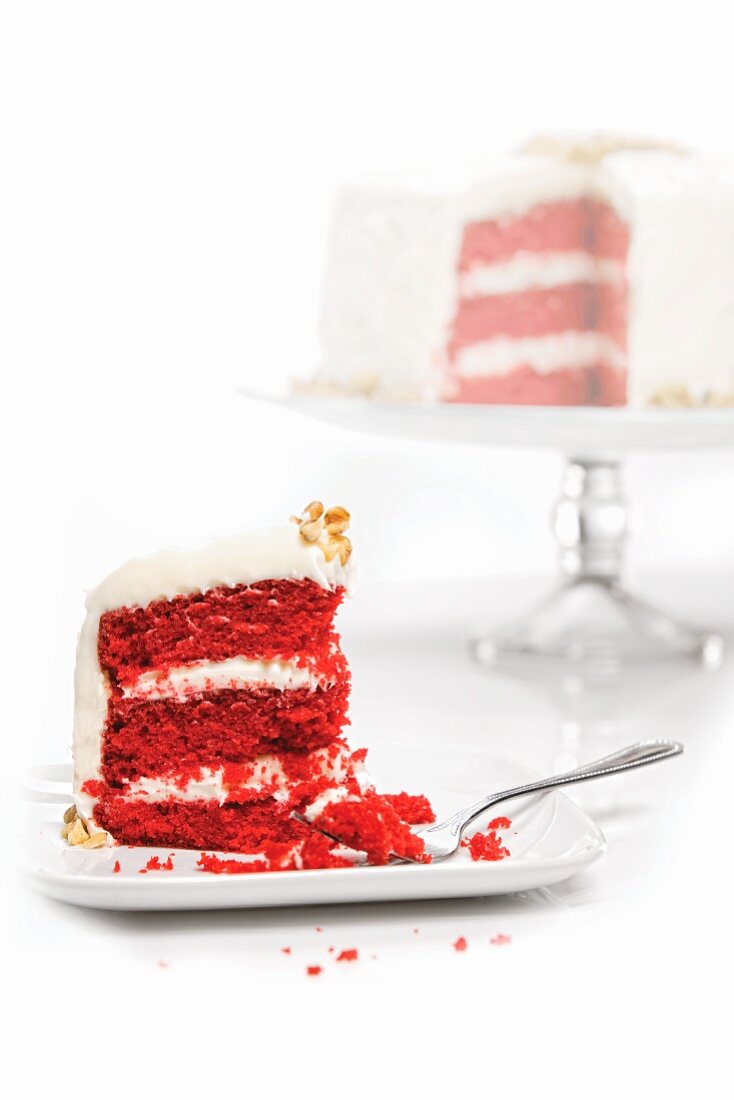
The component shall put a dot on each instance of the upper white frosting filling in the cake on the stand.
(529, 270)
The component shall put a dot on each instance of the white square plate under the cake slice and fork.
(551, 841)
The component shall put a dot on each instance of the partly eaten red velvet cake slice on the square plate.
(212, 695)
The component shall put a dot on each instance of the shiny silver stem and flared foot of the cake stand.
(593, 622)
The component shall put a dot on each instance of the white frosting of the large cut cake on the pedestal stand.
(391, 284)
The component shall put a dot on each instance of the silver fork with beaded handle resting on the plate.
(444, 839)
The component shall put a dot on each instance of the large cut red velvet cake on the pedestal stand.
(583, 271)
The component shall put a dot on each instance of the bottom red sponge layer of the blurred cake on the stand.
(595, 386)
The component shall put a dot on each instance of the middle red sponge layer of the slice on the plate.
(146, 738)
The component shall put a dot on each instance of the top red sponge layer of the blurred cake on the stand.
(569, 226)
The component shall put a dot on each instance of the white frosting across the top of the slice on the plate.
(279, 554)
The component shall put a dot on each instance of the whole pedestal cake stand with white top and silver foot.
(591, 621)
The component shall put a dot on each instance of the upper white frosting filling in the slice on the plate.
(213, 676)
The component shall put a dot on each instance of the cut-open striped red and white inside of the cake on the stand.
(542, 293)
